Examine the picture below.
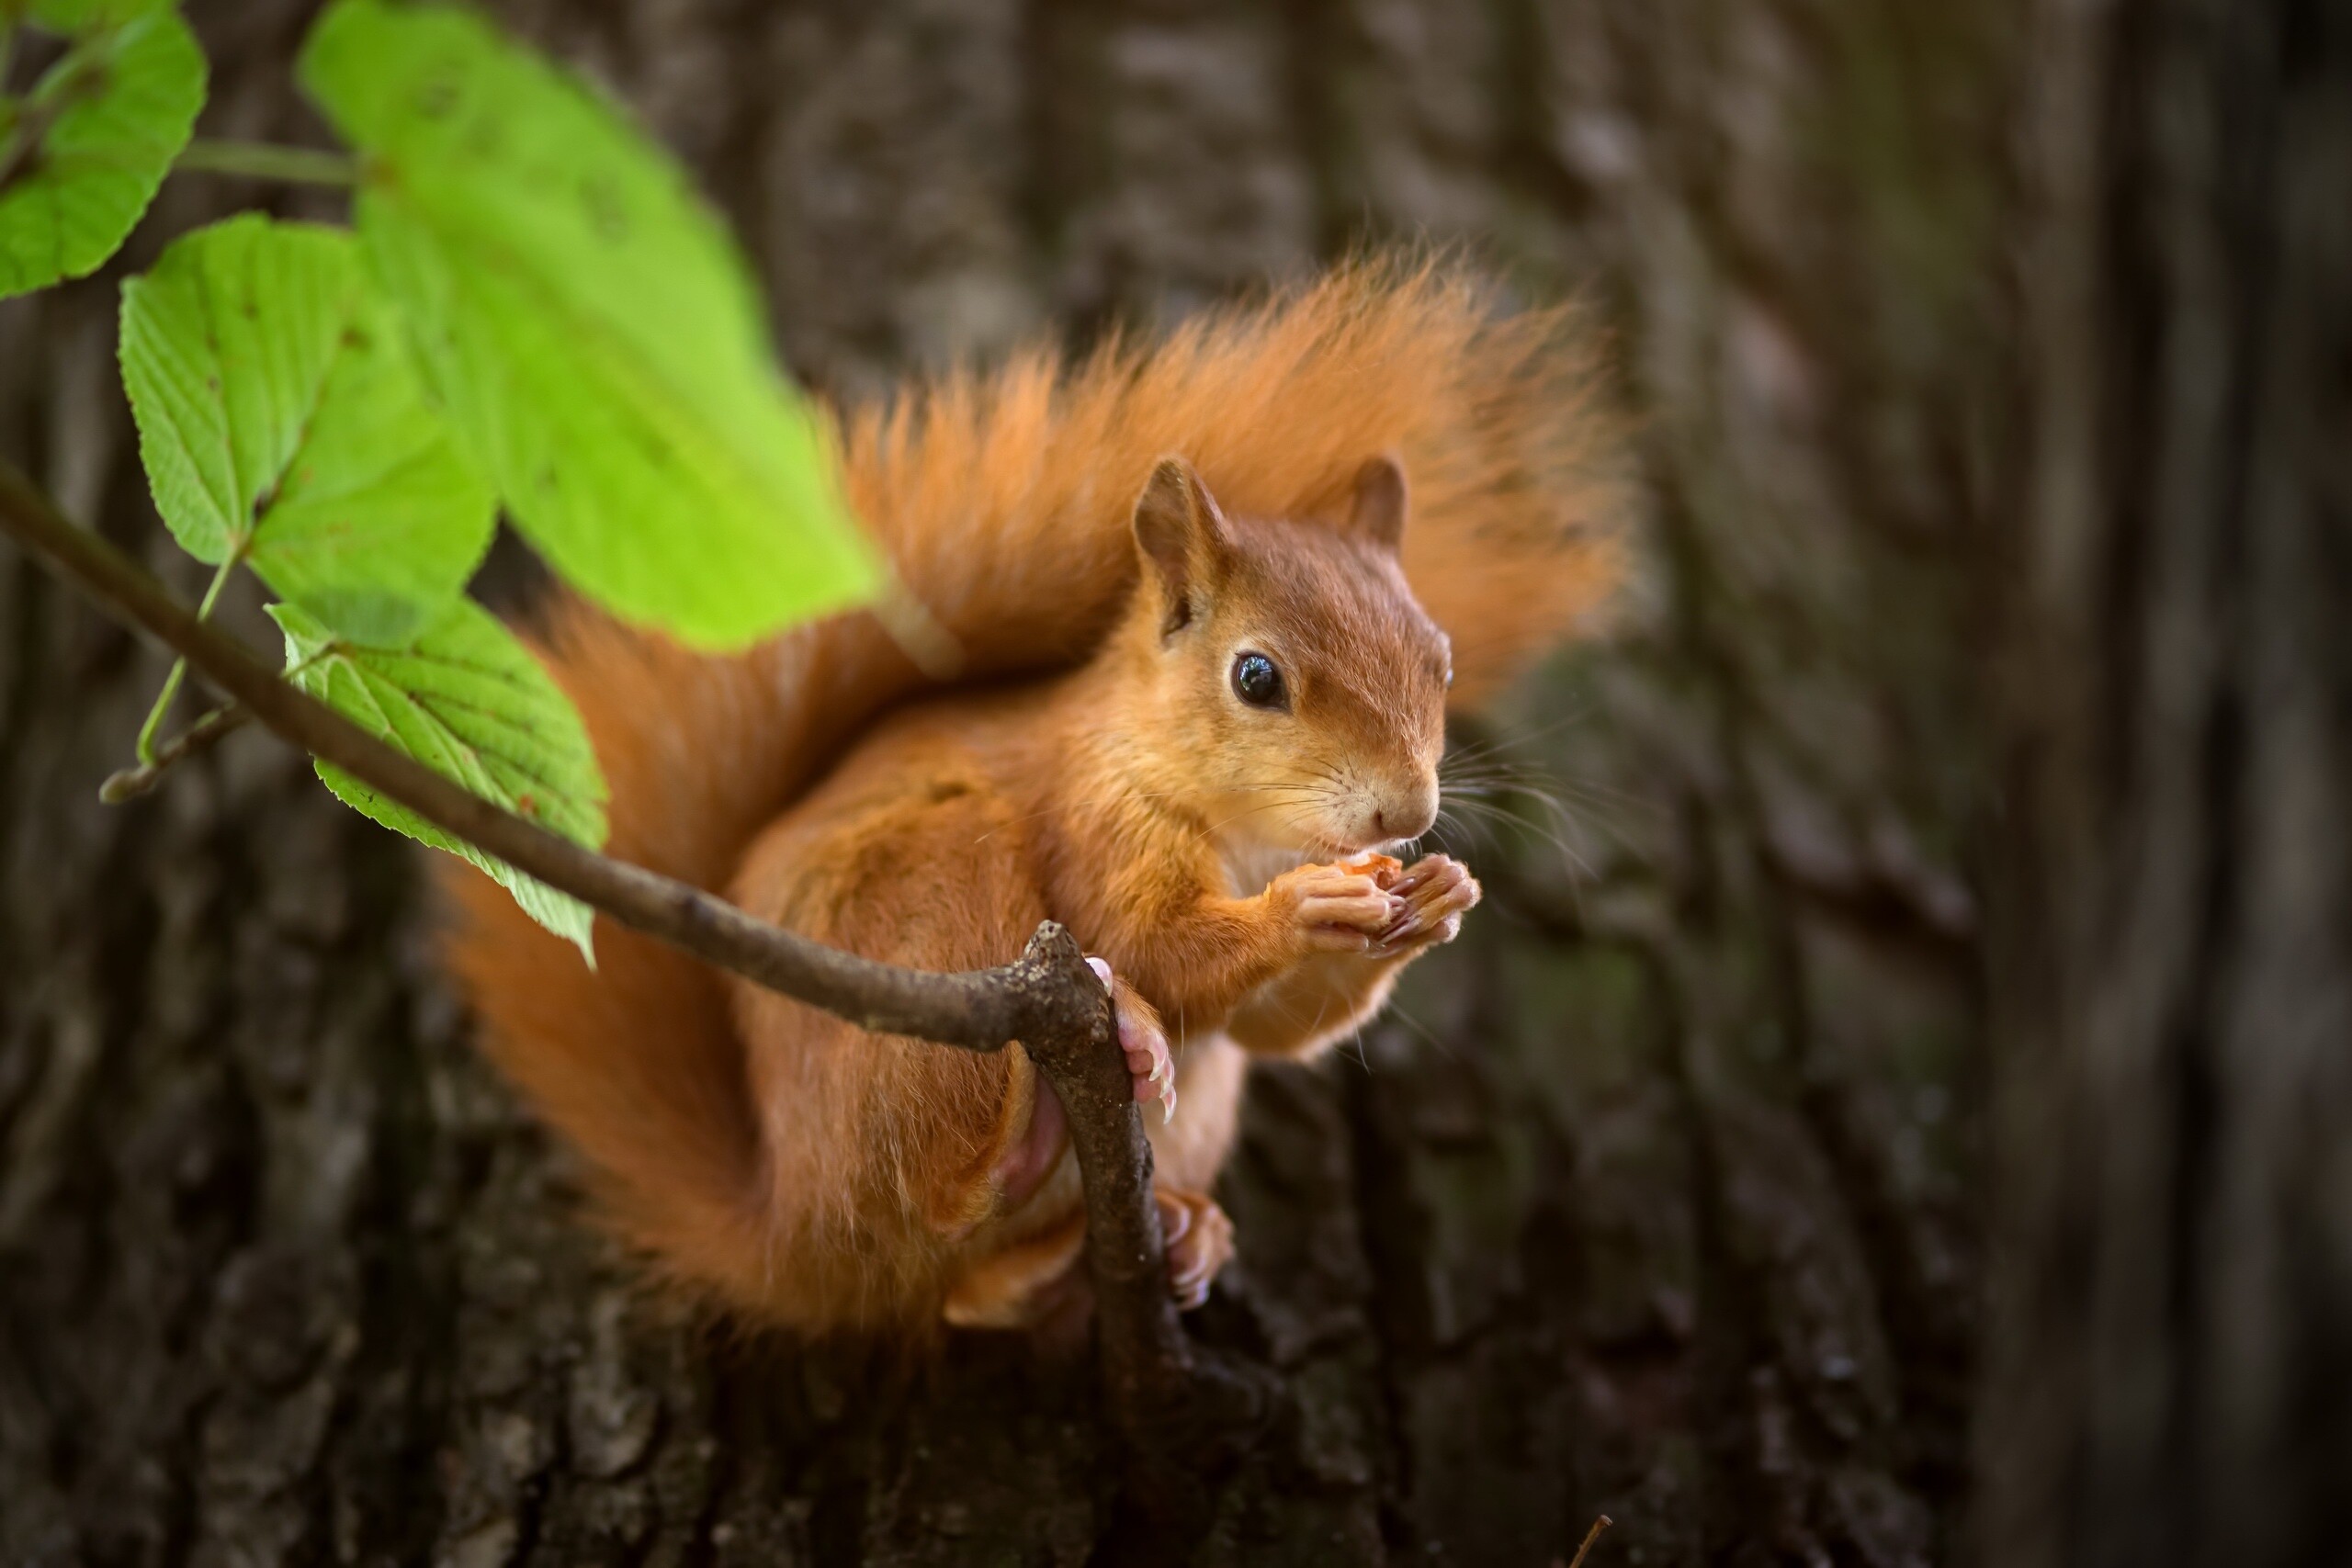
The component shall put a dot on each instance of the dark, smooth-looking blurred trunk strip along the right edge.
(2172, 1374)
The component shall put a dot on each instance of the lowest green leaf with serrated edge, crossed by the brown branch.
(472, 704)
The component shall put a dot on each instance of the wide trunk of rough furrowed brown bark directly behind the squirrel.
(1648, 1200)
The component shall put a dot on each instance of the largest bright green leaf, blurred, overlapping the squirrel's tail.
(589, 328)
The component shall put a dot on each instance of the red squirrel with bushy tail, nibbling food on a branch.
(1212, 601)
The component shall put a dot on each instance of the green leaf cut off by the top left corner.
(93, 142)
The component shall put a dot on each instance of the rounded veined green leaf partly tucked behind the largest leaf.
(267, 375)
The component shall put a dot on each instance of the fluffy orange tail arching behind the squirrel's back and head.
(1003, 497)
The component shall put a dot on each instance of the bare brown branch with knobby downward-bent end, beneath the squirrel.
(1050, 1000)
